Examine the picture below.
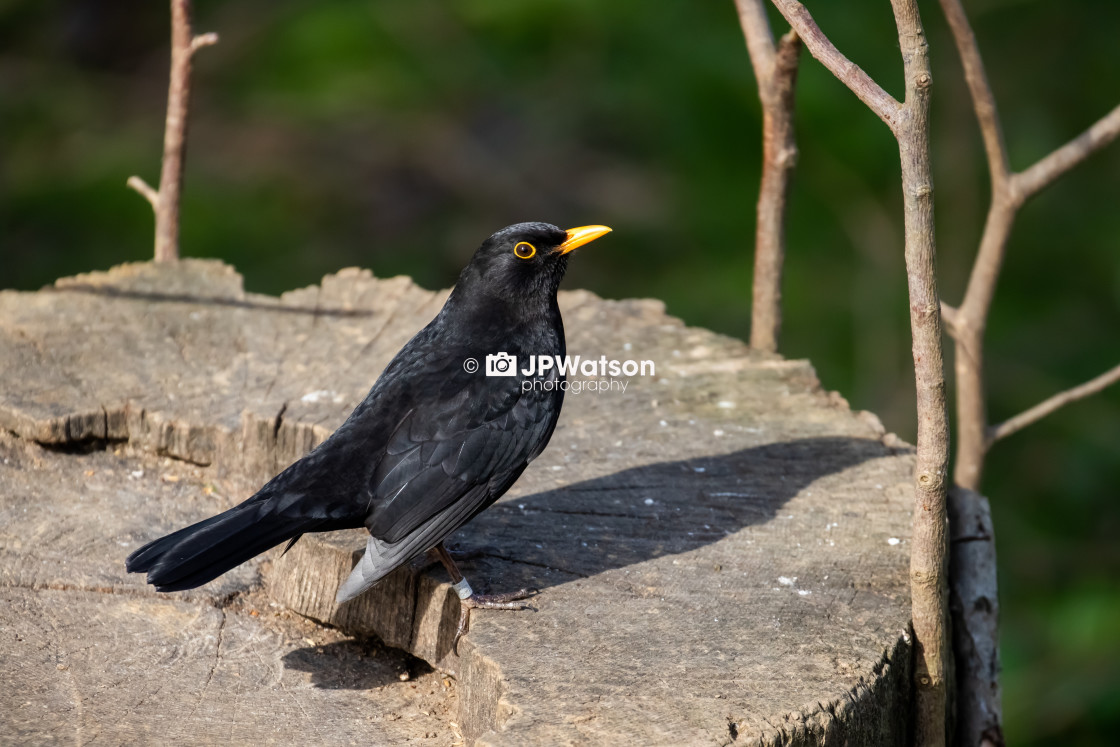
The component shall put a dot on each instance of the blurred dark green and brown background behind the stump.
(397, 136)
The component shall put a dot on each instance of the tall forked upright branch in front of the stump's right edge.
(910, 123)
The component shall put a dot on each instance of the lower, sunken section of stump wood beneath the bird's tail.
(90, 656)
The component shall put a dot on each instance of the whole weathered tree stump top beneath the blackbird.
(722, 548)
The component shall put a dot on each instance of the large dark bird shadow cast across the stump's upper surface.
(639, 515)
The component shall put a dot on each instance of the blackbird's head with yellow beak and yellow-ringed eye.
(525, 262)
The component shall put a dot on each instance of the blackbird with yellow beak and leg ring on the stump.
(435, 442)
